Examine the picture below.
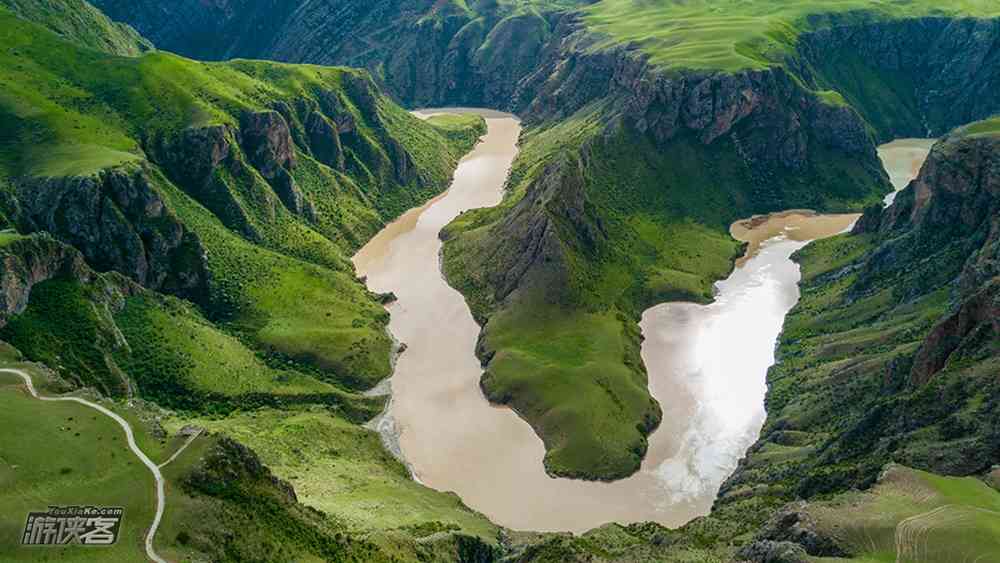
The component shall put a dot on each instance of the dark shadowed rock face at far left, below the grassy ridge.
(119, 221)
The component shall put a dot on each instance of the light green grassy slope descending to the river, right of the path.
(343, 470)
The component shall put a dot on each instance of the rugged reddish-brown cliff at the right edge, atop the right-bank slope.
(948, 222)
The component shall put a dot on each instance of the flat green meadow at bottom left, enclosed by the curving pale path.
(67, 454)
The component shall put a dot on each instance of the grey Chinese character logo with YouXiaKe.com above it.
(73, 525)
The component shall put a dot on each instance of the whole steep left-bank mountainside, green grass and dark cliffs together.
(242, 186)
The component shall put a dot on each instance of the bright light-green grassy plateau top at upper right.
(733, 35)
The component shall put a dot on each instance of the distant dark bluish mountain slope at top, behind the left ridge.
(427, 52)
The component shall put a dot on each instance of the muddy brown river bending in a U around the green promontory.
(707, 366)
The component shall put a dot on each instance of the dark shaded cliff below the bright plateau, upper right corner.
(918, 77)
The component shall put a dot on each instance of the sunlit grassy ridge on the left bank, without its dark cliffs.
(281, 281)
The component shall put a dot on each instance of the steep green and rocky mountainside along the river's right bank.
(893, 352)
